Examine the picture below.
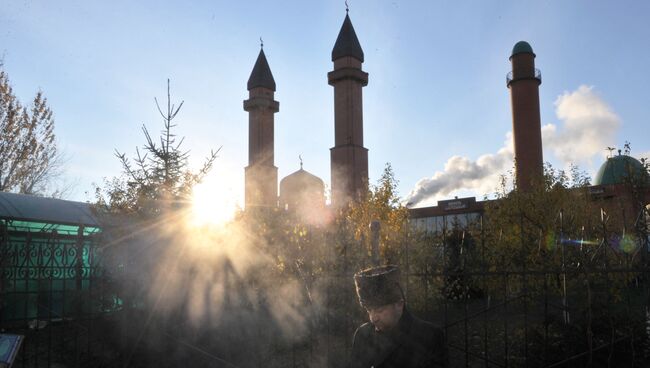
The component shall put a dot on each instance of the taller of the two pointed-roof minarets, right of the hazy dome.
(349, 158)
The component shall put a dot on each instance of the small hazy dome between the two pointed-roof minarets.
(301, 189)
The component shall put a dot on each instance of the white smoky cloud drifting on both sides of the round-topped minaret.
(588, 126)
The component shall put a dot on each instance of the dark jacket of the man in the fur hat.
(414, 344)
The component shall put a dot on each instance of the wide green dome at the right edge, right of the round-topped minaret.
(621, 169)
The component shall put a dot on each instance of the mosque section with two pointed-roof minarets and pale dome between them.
(302, 191)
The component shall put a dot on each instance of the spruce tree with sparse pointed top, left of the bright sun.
(144, 240)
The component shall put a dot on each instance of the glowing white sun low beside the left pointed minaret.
(214, 201)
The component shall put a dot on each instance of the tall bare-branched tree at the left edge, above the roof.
(29, 159)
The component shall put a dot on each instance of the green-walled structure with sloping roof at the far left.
(49, 259)
